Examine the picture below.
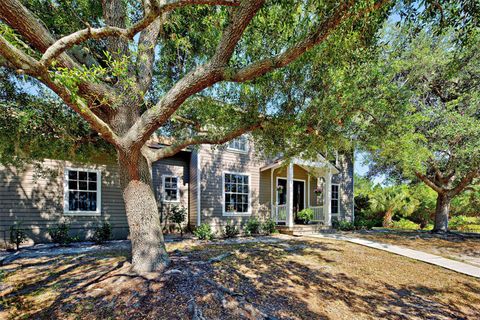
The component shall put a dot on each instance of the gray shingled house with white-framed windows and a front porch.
(217, 185)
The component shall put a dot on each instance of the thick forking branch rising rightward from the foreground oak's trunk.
(215, 70)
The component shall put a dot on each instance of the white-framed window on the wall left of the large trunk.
(81, 191)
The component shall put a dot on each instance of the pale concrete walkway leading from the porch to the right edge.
(450, 264)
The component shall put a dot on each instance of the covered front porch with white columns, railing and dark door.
(298, 185)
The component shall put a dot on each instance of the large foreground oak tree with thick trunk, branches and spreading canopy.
(199, 71)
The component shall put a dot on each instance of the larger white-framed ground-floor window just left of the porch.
(236, 191)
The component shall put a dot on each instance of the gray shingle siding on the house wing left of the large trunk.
(34, 197)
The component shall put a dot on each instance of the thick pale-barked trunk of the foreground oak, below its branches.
(148, 248)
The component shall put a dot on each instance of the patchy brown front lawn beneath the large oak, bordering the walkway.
(290, 278)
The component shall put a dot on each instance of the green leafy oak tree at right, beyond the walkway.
(425, 116)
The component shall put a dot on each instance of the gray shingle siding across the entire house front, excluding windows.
(34, 196)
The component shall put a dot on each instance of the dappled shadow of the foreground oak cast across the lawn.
(257, 280)
